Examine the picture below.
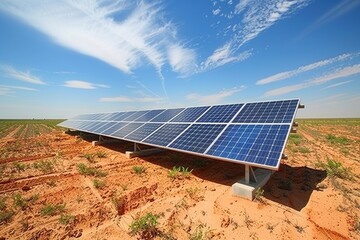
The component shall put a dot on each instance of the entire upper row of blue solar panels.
(261, 112)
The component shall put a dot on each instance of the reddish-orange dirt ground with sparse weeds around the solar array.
(58, 186)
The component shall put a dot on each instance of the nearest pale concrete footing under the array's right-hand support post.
(247, 190)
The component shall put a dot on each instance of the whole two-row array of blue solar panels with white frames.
(247, 133)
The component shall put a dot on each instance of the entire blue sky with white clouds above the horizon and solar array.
(63, 58)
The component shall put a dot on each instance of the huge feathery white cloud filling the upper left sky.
(123, 34)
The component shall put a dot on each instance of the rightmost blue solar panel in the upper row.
(268, 112)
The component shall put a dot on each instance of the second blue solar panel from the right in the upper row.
(222, 113)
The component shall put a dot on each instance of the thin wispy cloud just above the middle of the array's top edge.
(214, 98)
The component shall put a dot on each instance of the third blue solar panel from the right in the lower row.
(164, 135)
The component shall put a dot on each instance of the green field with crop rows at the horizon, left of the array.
(26, 128)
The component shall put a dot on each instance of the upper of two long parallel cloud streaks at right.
(302, 69)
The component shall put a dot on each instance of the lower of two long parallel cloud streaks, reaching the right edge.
(340, 73)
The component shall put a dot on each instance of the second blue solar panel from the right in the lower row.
(198, 137)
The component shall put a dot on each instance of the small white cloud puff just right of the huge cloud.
(182, 60)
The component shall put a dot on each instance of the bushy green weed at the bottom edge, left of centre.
(145, 226)
